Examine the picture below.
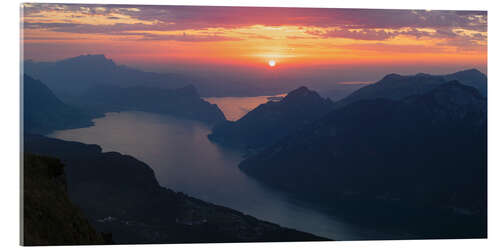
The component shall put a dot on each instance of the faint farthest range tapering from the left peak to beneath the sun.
(71, 77)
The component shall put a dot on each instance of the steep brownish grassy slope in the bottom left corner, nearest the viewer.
(50, 218)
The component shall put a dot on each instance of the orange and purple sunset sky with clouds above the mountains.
(158, 37)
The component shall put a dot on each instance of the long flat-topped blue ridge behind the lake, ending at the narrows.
(182, 102)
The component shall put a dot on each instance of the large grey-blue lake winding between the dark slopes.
(184, 160)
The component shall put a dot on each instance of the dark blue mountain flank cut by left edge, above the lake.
(43, 112)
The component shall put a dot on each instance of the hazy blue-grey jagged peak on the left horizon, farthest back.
(71, 77)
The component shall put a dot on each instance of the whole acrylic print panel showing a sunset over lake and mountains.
(182, 124)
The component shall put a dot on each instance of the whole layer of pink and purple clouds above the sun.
(356, 24)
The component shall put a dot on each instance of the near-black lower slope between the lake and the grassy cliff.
(121, 195)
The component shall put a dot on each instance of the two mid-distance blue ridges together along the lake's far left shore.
(43, 112)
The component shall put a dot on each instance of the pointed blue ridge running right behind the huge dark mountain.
(273, 120)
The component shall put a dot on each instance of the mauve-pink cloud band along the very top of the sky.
(199, 17)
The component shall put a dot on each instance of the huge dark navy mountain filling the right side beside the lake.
(419, 162)
